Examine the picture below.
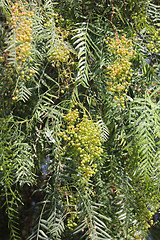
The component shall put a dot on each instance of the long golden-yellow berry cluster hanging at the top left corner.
(21, 23)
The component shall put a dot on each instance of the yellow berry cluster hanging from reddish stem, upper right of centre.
(119, 72)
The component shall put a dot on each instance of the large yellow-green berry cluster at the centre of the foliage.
(83, 143)
